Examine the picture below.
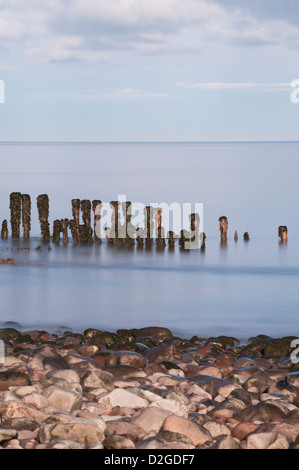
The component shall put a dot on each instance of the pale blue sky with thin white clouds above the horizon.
(149, 70)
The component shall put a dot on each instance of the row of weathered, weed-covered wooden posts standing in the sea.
(20, 212)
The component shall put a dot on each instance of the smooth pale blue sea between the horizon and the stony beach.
(242, 290)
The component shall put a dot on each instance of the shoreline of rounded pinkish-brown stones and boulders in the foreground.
(146, 389)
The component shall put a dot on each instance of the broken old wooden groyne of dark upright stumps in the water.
(81, 229)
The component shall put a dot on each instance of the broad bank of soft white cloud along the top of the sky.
(140, 26)
